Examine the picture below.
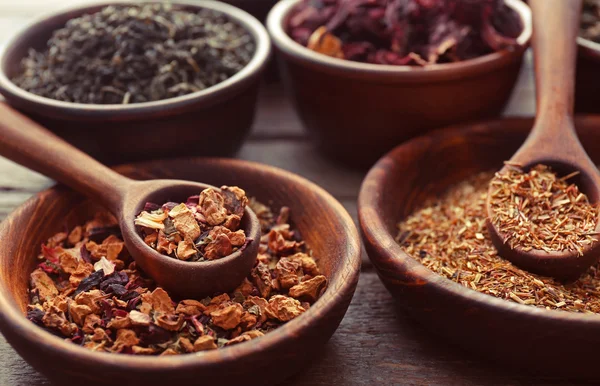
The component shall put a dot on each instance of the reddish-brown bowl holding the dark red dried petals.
(358, 111)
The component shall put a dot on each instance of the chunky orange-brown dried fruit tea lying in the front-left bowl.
(88, 290)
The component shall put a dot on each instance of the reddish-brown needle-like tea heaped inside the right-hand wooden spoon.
(539, 210)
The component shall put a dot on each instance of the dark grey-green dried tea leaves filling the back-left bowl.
(136, 53)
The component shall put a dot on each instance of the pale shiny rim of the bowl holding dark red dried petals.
(285, 44)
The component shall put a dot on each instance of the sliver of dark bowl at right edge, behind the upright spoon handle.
(587, 81)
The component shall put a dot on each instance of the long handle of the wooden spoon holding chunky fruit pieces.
(29, 144)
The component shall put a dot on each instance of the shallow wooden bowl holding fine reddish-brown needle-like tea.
(538, 340)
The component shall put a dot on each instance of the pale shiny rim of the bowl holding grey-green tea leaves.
(222, 90)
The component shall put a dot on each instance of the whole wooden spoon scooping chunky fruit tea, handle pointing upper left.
(30, 145)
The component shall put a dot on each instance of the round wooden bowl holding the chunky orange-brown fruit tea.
(325, 225)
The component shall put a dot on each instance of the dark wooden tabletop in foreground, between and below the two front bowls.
(375, 344)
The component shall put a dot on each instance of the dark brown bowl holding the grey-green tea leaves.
(215, 121)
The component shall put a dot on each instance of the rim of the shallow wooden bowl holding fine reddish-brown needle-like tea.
(391, 257)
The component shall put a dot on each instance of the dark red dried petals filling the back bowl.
(404, 32)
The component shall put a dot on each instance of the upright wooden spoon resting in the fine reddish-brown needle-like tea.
(553, 140)
